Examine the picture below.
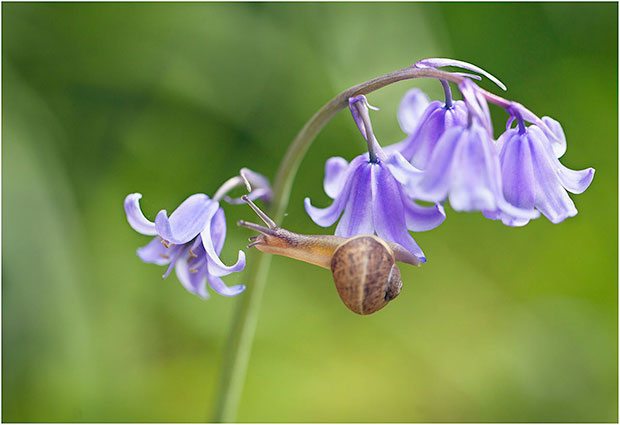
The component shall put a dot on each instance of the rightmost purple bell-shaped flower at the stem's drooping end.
(533, 177)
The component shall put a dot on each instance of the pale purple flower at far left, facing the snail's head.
(190, 241)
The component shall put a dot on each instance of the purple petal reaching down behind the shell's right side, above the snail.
(388, 213)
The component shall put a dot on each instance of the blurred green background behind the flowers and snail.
(101, 100)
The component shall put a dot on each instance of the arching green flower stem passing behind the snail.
(239, 346)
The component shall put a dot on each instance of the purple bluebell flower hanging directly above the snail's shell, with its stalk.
(370, 195)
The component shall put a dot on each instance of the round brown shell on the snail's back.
(366, 274)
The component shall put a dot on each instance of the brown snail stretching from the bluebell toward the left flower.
(363, 267)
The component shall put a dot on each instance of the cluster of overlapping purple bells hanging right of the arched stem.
(450, 155)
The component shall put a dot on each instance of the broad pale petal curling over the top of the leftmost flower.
(187, 221)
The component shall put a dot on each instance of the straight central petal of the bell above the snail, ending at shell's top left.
(357, 217)
